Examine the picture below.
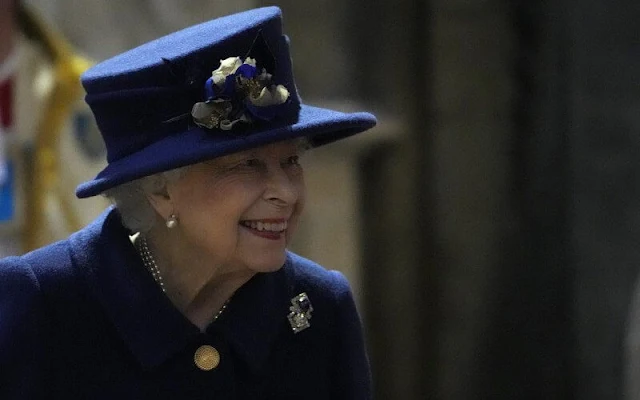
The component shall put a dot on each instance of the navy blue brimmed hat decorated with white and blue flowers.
(213, 89)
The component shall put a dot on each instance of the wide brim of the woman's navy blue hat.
(320, 125)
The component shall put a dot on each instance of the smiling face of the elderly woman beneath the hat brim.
(240, 210)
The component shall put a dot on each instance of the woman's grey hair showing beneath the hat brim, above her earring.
(130, 198)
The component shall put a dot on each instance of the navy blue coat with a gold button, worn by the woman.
(83, 319)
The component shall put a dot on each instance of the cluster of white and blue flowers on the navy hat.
(236, 93)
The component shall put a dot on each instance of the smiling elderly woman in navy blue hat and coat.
(184, 289)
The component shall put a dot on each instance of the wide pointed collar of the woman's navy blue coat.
(147, 321)
